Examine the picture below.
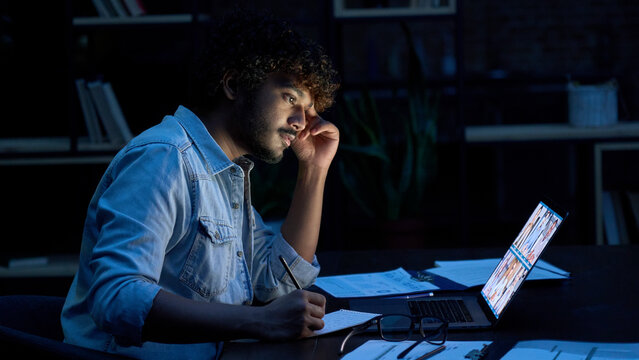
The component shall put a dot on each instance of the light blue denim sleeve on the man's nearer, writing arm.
(136, 218)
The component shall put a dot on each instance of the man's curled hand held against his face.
(316, 145)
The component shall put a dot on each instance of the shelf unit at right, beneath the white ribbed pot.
(592, 223)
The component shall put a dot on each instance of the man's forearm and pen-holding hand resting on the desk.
(175, 319)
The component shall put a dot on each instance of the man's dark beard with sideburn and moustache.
(251, 128)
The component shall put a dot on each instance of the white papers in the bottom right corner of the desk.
(567, 350)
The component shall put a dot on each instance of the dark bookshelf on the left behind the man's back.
(50, 164)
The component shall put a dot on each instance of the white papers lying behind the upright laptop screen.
(476, 272)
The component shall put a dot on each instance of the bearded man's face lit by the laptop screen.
(267, 120)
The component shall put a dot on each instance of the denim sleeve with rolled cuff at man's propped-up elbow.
(270, 278)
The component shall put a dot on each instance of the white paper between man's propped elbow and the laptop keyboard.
(394, 282)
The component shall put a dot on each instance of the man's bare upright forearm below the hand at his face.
(302, 224)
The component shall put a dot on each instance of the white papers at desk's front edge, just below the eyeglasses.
(387, 350)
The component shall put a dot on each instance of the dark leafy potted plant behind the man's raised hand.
(386, 165)
